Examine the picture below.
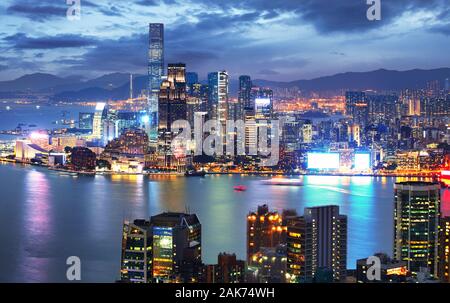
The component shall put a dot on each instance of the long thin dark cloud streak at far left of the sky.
(22, 41)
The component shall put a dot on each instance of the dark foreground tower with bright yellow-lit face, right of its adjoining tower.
(176, 247)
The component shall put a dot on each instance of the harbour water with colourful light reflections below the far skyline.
(46, 217)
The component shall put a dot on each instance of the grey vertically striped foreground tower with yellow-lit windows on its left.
(317, 241)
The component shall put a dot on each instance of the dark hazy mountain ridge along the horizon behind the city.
(115, 86)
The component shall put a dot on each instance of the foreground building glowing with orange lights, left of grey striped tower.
(264, 229)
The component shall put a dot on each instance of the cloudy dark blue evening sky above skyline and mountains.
(270, 39)
